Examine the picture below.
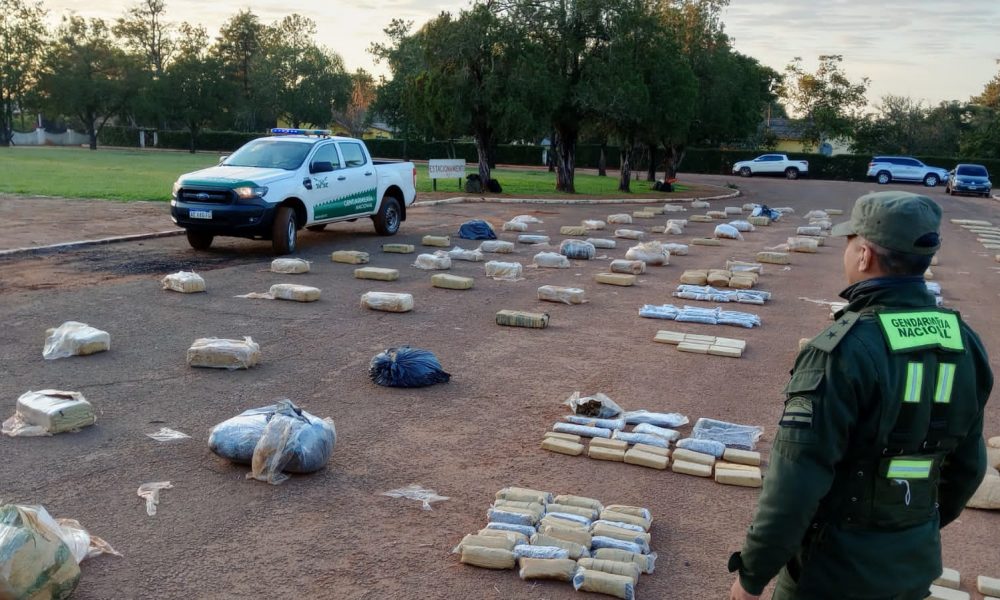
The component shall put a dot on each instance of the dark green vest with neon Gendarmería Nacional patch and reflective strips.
(893, 484)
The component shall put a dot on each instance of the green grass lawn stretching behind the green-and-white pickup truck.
(149, 175)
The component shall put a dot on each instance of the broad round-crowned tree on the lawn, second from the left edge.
(87, 76)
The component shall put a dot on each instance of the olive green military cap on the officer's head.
(900, 221)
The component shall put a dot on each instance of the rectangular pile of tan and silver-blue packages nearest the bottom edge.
(597, 548)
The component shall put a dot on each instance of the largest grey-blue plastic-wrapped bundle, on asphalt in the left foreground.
(308, 447)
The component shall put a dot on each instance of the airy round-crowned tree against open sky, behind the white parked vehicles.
(827, 101)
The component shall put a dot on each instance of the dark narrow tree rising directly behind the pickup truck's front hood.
(193, 79)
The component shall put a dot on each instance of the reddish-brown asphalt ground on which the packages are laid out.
(331, 534)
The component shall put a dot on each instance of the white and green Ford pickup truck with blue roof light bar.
(274, 186)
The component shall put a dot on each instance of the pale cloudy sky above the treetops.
(929, 50)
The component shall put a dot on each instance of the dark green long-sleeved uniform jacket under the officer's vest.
(845, 383)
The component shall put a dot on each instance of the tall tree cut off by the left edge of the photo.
(22, 44)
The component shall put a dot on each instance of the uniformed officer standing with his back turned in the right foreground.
(880, 444)
